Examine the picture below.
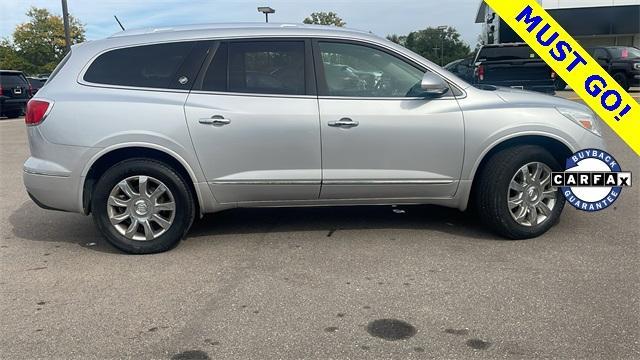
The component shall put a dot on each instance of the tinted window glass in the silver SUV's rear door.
(269, 67)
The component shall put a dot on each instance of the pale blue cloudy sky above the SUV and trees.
(382, 17)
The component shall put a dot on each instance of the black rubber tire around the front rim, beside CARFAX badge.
(492, 188)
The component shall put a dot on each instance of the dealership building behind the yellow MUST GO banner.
(590, 22)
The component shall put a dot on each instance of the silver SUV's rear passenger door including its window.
(253, 118)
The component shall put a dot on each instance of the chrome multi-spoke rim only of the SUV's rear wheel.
(141, 208)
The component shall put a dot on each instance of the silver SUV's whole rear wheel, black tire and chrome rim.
(142, 206)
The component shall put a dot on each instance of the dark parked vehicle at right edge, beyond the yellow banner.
(621, 62)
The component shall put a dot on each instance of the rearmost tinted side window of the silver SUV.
(151, 66)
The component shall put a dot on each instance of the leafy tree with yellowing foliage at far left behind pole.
(39, 44)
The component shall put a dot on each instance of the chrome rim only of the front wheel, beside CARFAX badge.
(531, 198)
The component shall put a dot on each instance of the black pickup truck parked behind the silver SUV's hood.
(509, 65)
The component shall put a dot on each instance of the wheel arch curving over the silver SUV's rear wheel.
(111, 156)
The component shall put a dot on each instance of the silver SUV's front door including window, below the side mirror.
(380, 139)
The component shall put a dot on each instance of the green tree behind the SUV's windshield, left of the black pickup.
(430, 41)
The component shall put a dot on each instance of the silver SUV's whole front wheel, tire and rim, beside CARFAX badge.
(514, 194)
